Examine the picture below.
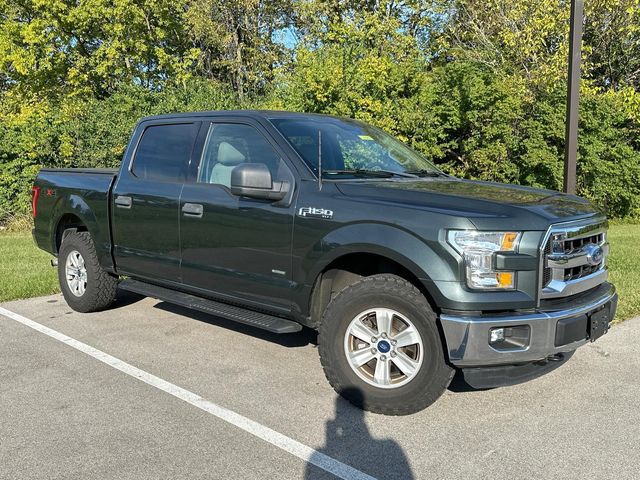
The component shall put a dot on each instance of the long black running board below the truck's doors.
(230, 312)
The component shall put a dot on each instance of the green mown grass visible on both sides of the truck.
(25, 270)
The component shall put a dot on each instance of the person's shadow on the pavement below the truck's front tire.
(348, 439)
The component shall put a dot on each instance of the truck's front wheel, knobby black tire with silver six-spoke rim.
(396, 391)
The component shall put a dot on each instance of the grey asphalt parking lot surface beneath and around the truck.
(67, 414)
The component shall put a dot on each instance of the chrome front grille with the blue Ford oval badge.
(573, 259)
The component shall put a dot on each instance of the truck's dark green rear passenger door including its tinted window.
(146, 198)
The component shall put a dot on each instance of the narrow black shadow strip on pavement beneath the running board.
(300, 339)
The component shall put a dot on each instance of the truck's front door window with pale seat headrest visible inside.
(229, 145)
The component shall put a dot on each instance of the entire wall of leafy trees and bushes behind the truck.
(476, 86)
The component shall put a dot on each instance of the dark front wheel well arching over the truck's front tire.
(347, 270)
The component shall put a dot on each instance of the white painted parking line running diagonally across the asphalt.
(308, 454)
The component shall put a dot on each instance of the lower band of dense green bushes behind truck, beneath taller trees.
(472, 121)
